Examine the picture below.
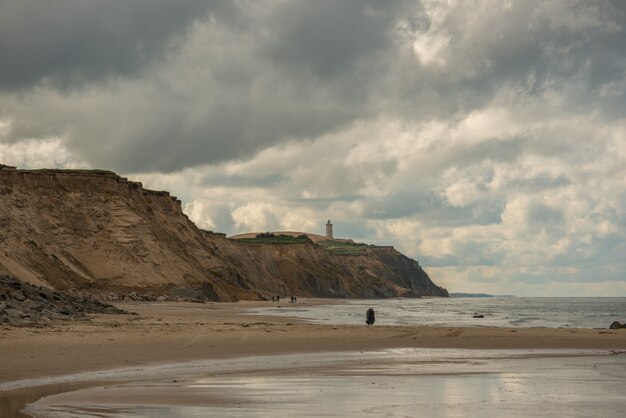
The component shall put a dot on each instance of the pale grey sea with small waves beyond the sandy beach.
(497, 312)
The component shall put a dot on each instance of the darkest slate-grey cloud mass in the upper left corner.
(72, 42)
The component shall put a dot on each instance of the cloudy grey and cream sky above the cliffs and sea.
(485, 139)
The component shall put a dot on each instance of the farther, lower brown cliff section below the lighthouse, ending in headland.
(309, 269)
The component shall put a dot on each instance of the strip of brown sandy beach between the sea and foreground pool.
(169, 333)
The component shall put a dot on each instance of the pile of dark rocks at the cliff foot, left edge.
(22, 304)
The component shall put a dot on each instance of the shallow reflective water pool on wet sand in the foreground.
(392, 383)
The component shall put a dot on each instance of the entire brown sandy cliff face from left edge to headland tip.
(94, 230)
